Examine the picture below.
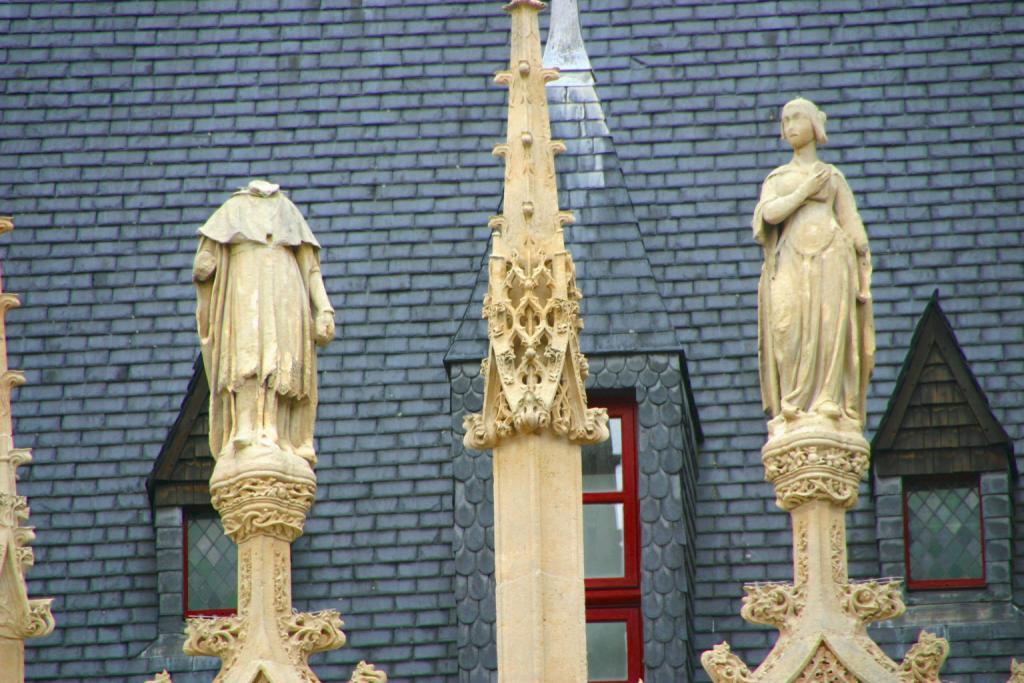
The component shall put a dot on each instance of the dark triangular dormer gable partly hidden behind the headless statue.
(182, 474)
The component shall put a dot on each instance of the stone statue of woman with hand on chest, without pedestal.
(817, 330)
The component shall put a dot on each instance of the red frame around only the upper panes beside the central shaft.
(627, 412)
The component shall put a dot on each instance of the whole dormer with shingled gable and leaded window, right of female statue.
(943, 467)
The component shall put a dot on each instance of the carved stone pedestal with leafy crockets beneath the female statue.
(817, 465)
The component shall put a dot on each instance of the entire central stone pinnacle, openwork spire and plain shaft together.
(535, 412)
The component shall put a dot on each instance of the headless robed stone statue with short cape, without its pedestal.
(262, 309)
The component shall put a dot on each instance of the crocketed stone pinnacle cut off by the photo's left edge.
(21, 617)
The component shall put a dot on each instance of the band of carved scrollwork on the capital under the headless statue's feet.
(268, 505)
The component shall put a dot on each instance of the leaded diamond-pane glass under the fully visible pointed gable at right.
(945, 523)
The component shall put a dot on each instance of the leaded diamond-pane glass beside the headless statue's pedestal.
(212, 564)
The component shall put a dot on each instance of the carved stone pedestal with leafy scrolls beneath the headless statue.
(264, 496)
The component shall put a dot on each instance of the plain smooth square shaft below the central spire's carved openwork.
(539, 561)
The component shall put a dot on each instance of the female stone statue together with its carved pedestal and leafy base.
(818, 268)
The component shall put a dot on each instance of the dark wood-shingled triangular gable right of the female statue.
(938, 420)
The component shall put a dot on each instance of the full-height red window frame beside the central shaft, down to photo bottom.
(618, 599)
